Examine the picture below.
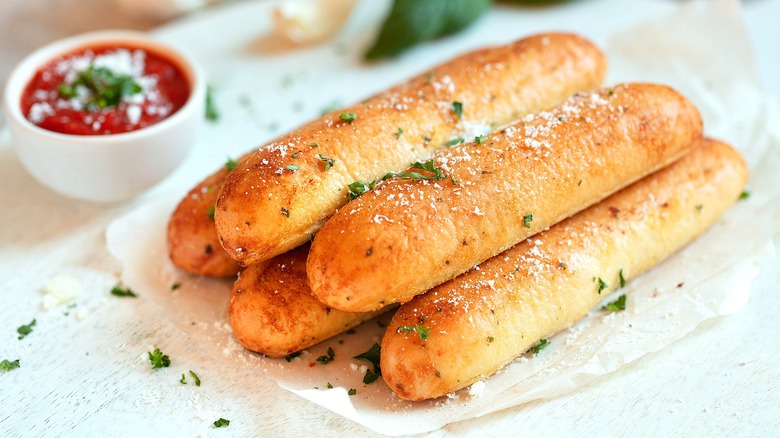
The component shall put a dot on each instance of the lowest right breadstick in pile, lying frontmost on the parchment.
(482, 320)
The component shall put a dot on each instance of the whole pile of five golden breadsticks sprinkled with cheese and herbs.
(532, 194)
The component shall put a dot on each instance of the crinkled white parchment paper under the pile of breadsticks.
(702, 51)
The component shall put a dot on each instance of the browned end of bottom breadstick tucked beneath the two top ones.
(273, 312)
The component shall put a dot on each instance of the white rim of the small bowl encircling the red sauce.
(23, 72)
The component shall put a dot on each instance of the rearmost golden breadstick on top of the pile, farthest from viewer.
(285, 192)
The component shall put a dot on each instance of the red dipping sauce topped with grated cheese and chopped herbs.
(104, 90)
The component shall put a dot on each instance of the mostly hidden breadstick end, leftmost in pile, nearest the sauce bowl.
(193, 244)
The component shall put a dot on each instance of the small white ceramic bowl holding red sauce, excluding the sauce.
(104, 168)
